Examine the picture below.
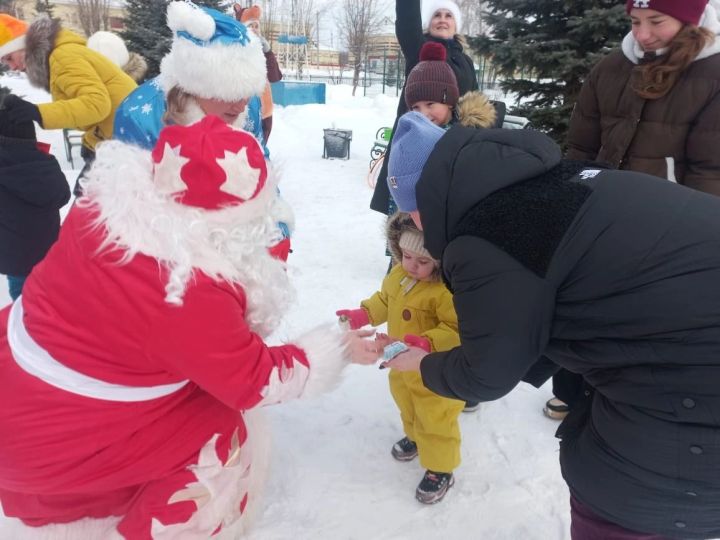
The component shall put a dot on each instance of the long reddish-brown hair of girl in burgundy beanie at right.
(655, 79)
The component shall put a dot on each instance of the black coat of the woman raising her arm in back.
(408, 28)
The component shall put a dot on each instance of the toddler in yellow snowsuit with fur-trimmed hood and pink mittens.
(418, 309)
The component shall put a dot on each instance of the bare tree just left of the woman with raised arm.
(358, 20)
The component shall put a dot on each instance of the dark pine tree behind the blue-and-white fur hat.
(146, 30)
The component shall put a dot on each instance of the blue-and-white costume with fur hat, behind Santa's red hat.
(212, 56)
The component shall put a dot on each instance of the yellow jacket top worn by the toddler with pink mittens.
(425, 310)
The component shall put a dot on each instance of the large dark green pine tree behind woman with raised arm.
(545, 48)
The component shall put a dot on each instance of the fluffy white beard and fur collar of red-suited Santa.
(228, 245)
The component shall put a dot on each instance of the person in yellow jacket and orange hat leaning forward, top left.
(86, 87)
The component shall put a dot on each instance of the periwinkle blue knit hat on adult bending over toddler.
(412, 142)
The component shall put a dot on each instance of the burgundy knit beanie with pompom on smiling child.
(432, 79)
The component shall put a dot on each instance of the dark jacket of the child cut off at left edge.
(32, 191)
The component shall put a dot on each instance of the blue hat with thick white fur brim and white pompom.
(212, 56)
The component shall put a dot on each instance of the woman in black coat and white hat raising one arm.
(443, 27)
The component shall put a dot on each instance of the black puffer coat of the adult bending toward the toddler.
(611, 274)
